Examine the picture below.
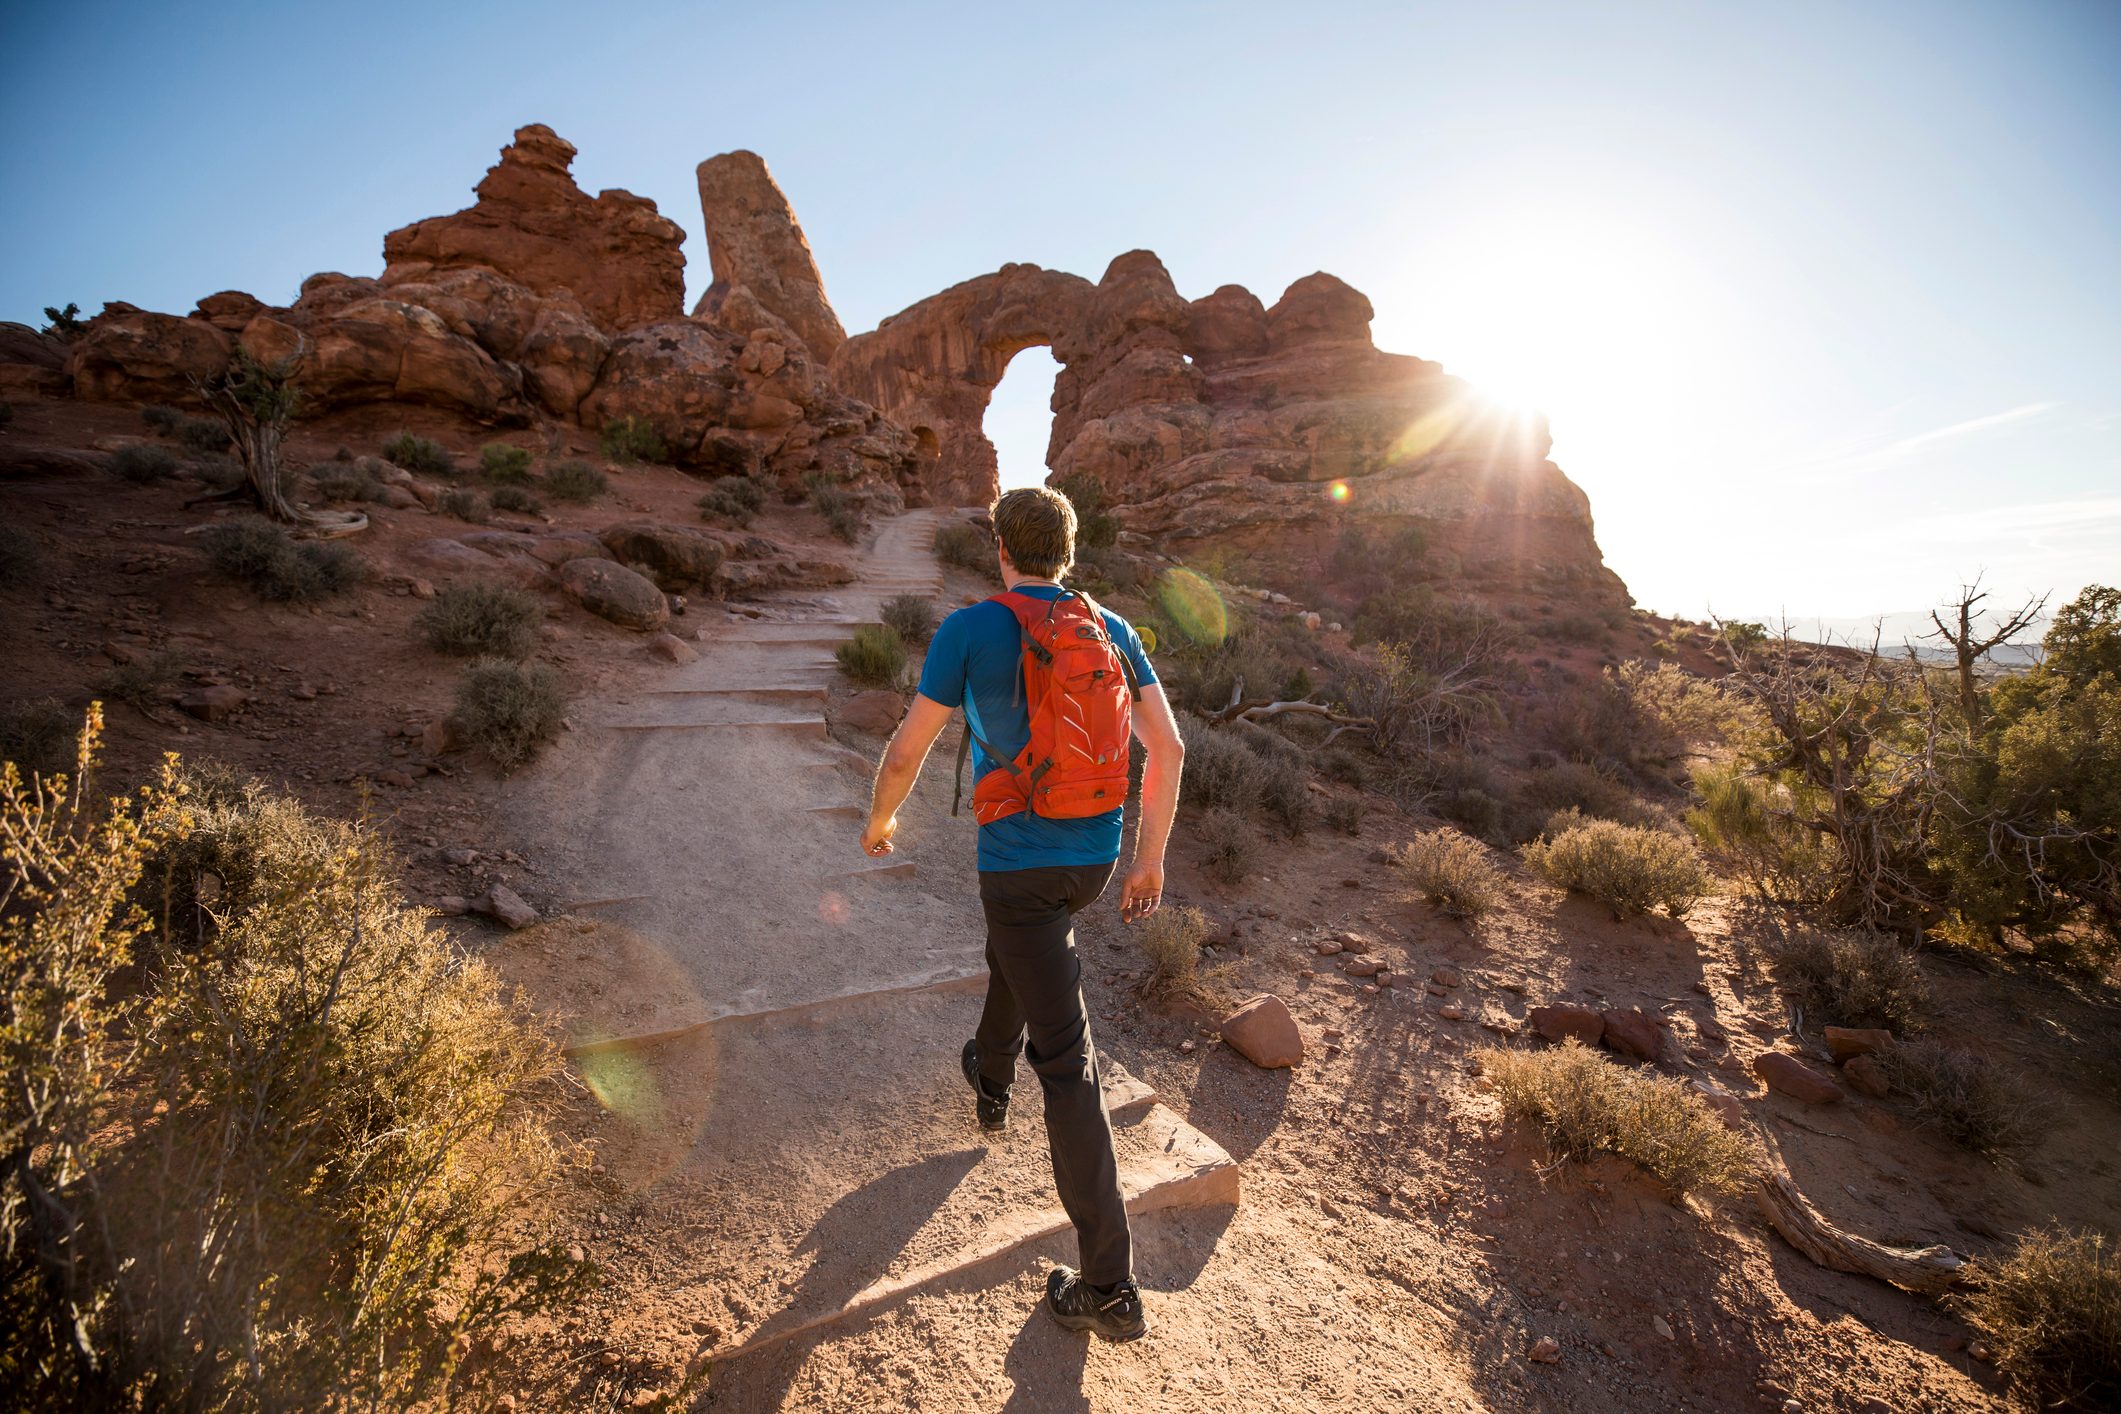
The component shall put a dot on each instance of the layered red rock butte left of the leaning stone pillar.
(618, 260)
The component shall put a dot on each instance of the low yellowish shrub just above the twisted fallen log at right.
(1590, 1106)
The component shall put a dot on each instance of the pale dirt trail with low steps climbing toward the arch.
(769, 1019)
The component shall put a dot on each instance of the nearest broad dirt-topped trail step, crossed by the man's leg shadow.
(824, 1163)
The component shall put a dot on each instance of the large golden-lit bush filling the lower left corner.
(290, 1161)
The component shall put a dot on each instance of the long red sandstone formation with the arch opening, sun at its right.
(1221, 419)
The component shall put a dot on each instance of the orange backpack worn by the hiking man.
(1081, 690)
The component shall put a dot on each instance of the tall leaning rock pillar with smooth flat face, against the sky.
(765, 272)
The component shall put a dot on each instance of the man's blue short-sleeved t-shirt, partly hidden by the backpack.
(981, 650)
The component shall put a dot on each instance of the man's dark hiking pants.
(1034, 1004)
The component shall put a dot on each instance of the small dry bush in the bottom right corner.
(2052, 1311)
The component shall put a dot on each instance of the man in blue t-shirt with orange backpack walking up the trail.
(1051, 686)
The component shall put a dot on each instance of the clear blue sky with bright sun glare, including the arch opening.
(1823, 300)
